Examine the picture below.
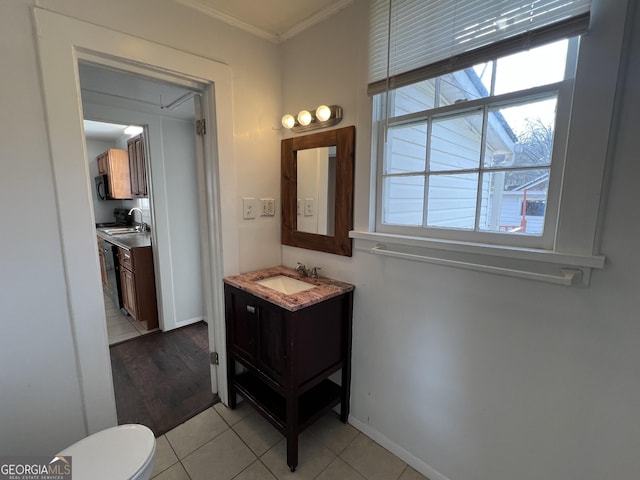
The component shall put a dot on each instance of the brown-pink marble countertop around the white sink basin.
(324, 289)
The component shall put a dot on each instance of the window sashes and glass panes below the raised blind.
(464, 150)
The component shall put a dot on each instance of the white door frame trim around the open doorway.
(62, 41)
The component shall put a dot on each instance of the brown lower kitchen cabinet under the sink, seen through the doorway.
(137, 281)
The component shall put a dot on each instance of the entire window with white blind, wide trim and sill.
(490, 134)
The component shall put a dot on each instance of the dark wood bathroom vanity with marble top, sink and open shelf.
(287, 335)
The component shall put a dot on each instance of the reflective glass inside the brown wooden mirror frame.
(316, 186)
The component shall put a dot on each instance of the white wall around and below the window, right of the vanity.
(471, 375)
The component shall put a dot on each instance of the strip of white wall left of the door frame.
(37, 362)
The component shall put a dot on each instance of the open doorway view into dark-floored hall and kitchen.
(166, 116)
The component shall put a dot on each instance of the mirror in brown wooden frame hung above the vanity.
(317, 190)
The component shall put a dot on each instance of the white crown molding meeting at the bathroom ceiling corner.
(272, 37)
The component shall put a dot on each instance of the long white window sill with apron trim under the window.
(534, 264)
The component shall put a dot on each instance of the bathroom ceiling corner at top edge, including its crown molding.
(275, 20)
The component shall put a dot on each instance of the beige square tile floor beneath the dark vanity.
(222, 444)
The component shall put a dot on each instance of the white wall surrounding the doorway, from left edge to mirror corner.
(42, 409)
